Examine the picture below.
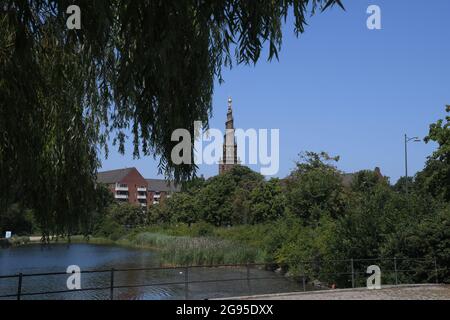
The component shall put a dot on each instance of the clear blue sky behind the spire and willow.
(343, 88)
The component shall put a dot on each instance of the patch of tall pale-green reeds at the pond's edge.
(184, 250)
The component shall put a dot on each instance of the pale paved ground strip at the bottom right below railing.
(404, 292)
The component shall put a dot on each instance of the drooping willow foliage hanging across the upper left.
(145, 67)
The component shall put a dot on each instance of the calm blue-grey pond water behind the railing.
(56, 258)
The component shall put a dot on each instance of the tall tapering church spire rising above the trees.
(229, 158)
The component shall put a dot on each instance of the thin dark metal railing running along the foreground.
(309, 270)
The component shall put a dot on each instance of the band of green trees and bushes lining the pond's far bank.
(311, 215)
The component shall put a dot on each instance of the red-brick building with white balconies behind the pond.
(128, 185)
